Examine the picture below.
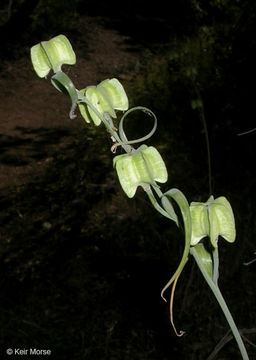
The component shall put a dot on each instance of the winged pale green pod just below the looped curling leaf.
(145, 166)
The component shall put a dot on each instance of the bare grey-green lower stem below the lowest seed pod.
(217, 293)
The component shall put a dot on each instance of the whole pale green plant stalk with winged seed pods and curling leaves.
(145, 167)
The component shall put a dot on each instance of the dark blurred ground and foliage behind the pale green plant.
(81, 265)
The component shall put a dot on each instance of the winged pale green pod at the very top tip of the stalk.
(51, 55)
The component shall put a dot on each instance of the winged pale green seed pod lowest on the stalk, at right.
(213, 218)
